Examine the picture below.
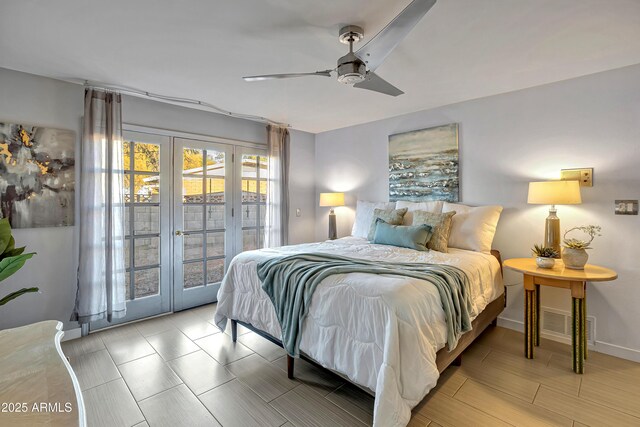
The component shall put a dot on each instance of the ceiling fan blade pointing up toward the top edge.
(380, 46)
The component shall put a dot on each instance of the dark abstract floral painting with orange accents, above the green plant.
(37, 175)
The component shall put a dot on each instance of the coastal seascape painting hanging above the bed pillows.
(423, 164)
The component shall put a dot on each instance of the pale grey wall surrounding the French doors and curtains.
(25, 98)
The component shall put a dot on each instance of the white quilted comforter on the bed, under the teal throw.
(382, 332)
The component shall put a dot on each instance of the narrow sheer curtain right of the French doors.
(277, 220)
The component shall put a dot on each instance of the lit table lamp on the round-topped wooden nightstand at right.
(554, 193)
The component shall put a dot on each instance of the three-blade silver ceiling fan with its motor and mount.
(357, 68)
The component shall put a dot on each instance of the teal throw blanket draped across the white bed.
(290, 282)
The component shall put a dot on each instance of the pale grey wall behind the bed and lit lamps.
(506, 141)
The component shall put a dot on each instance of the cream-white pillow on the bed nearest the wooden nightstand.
(473, 228)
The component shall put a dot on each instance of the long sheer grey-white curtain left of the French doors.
(101, 271)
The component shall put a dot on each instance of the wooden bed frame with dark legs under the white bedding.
(444, 358)
